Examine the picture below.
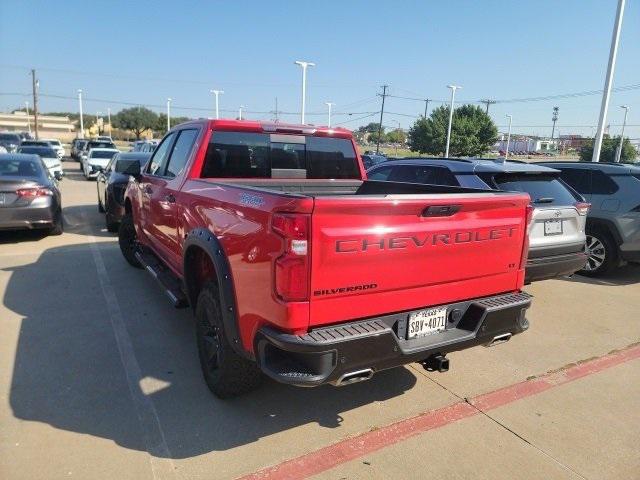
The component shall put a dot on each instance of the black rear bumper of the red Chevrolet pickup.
(325, 355)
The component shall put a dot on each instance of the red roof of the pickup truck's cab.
(271, 127)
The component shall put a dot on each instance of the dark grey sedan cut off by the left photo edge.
(29, 195)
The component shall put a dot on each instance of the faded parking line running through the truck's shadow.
(162, 465)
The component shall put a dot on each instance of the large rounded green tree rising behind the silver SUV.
(472, 132)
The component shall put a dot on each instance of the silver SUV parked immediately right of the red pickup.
(557, 233)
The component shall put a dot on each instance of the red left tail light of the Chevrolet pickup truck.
(292, 267)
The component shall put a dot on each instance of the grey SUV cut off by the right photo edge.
(613, 223)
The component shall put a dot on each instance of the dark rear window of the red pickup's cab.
(263, 155)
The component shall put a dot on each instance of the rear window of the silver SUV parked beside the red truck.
(543, 189)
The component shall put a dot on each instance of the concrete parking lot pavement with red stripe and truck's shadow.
(100, 379)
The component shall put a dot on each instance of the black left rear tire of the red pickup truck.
(226, 373)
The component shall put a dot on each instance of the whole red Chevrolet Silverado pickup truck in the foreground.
(298, 267)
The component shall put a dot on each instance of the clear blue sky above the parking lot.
(144, 52)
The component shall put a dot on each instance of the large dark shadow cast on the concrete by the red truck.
(68, 373)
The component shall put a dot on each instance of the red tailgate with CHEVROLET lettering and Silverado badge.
(376, 255)
